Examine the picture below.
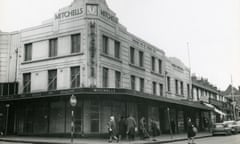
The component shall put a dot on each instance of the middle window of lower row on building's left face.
(52, 79)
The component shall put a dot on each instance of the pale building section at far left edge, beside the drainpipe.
(8, 57)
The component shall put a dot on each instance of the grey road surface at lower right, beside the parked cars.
(233, 139)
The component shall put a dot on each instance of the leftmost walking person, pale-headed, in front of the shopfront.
(112, 130)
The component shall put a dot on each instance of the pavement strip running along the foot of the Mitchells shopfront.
(60, 140)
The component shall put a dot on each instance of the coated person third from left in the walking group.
(131, 125)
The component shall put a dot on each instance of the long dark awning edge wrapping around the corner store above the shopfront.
(121, 93)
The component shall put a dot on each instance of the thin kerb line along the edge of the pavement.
(152, 142)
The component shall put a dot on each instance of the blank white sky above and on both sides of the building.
(212, 27)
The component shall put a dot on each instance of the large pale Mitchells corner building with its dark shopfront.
(85, 51)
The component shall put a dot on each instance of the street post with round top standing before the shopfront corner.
(73, 103)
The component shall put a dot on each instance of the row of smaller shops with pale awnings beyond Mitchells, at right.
(204, 91)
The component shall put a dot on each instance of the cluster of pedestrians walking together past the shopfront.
(126, 128)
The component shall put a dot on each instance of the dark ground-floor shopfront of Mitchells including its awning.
(49, 113)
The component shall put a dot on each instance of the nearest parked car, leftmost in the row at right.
(221, 128)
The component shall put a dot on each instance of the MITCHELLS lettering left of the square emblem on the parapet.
(69, 13)
